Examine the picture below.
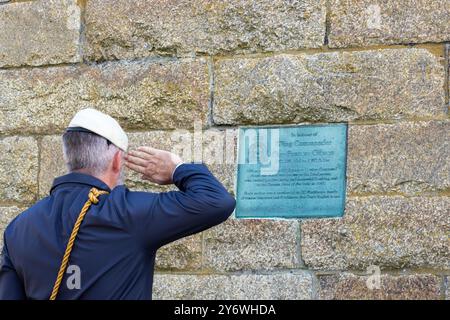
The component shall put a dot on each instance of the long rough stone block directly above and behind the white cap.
(145, 94)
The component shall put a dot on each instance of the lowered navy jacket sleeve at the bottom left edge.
(11, 287)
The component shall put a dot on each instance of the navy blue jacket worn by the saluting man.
(118, 239)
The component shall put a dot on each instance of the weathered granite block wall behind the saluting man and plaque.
(379, 65)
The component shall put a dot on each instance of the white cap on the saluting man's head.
(101, 124)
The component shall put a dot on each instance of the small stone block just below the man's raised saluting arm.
(183, 254)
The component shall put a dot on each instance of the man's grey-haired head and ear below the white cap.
(88, 151)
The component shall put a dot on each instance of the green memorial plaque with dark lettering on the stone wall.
(291, 172)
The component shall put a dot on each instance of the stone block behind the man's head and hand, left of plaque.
(219, 152)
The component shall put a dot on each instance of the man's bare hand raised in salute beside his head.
(155, 165)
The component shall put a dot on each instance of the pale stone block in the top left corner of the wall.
(39, 33)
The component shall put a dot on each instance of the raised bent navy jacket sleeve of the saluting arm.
(201, 202)
